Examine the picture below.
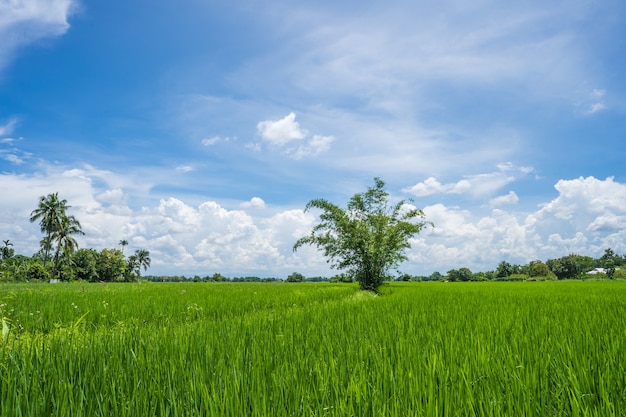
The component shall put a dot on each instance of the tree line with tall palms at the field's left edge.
(59, 257)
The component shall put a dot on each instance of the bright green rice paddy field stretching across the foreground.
(278, 349)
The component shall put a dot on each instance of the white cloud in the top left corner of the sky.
(25, 21)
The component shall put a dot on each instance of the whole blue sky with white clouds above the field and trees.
(199, 130)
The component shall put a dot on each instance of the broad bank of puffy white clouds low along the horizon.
(586, 216)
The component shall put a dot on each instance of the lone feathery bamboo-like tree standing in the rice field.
(368, 238)
